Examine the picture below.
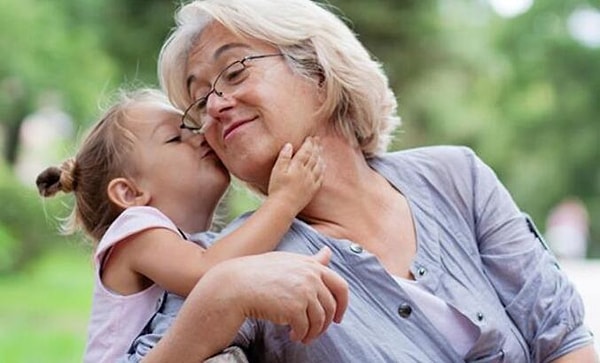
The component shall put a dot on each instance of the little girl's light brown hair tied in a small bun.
(104, 155)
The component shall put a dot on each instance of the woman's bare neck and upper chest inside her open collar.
(358, 204)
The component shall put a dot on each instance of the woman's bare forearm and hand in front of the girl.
(285, 288)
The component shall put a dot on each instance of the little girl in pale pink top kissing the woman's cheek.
(142, 186)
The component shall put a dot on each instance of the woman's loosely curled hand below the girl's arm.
(290, 289)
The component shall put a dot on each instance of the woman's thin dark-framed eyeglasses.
(227, 80)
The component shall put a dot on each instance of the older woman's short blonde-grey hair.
(358, 99)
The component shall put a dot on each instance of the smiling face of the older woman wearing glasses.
(250, 121)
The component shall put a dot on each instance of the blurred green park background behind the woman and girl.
(518, 81)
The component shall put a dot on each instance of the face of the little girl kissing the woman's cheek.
(176, 167)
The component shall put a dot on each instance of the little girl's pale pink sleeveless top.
(116, 319)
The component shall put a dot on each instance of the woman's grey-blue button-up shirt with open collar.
(475, 250)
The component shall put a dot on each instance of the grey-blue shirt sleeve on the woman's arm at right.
(536, 293)
